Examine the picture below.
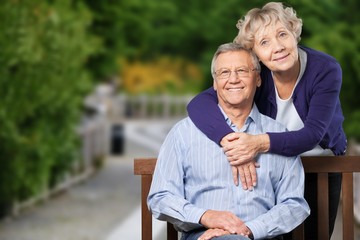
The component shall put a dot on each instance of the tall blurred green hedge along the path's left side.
(42, 83)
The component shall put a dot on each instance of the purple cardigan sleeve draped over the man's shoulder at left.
(204, 112)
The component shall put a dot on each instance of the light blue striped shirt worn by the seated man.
(193, 175)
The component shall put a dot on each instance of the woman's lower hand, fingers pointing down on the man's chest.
(247, 174)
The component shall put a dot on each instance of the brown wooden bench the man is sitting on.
(346, 165)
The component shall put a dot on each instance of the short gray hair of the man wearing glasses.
(233, 47)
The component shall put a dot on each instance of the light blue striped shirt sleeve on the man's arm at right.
(291, 208)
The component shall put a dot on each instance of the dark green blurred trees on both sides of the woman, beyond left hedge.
(145, 29)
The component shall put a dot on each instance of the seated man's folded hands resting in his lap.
(224, 220)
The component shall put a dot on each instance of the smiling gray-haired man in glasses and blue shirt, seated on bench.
(193, 182)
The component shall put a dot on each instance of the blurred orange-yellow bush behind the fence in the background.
(164, 75)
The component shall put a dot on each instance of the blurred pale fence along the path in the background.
(95, 132)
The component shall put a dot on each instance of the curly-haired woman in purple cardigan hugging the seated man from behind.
(300, 88)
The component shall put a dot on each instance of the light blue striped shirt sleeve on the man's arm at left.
(166, 198)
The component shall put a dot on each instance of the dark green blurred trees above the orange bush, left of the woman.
(144, 29)
